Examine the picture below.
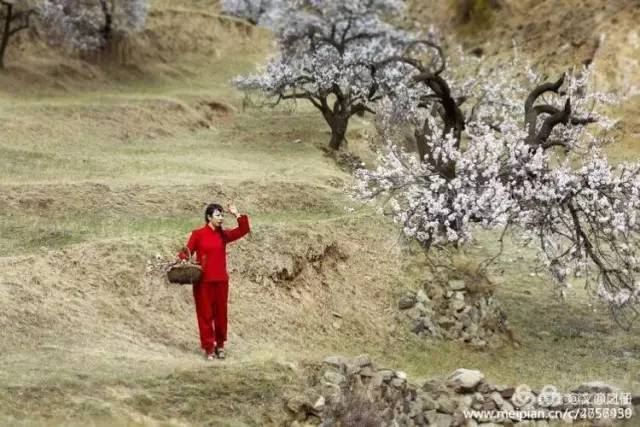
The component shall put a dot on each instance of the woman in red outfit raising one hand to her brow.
(211, 292)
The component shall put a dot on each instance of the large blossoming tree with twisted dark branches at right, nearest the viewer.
(516, 158)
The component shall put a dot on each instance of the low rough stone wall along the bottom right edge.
(354, 392)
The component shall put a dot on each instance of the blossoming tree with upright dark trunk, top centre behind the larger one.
(326, 52)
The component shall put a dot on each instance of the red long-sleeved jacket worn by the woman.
(210, 249)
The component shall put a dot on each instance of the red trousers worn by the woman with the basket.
(211, 310)
